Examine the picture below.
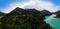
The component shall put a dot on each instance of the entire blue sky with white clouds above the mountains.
(7, 6)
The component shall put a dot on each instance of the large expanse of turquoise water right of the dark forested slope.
(54, 22)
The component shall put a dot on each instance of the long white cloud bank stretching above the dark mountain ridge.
(37, 4)
